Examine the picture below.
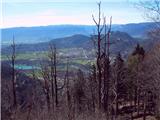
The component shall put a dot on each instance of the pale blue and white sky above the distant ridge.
(24, 13)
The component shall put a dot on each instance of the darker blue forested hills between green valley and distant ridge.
(121, 42)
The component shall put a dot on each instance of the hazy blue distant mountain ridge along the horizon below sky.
(46, 33)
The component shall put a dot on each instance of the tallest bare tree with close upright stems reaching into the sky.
(102, 44)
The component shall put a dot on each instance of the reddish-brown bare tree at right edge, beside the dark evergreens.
(152, 75)
